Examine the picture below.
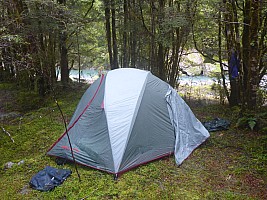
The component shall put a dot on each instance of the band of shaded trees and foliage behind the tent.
(37, 36)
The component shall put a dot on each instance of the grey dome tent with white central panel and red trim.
(126, 118)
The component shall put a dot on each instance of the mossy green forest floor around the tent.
(231, 164)
